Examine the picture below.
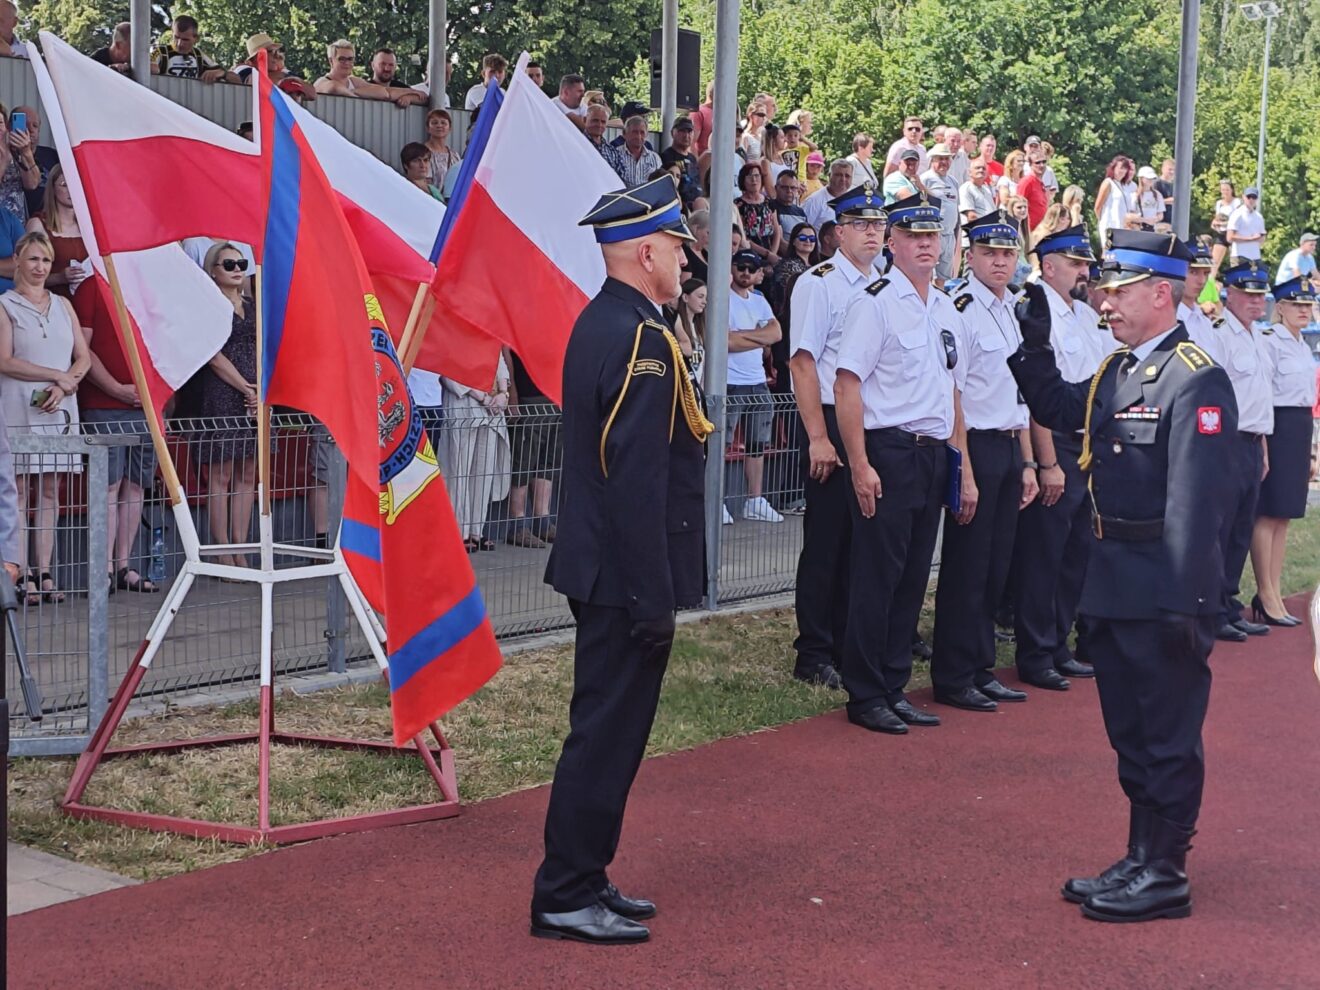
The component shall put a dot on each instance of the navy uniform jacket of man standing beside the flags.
(632, 526)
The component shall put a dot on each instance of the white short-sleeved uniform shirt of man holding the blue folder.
(900, 348)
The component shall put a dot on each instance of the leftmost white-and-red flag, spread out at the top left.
(152, 171)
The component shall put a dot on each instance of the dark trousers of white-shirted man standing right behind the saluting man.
(1054, 543)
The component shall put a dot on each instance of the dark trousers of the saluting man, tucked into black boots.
(1154, 682)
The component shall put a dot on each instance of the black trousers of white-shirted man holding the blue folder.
(890, 567)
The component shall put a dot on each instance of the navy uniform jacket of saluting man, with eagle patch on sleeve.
(1160, 442)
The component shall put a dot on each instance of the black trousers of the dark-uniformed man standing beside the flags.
(616, 692)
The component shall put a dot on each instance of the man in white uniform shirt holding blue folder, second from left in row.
(897, 407)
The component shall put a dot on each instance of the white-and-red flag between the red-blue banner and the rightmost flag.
(395, 226)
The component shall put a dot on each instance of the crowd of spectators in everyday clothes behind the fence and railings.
(508, 443)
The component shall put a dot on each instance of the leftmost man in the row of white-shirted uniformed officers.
(818, 306)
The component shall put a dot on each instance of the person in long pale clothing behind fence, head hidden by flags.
(477, 453)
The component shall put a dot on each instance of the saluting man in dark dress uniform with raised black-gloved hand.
(1160, 418)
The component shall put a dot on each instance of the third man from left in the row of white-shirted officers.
(999, 477)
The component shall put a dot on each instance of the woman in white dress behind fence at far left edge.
(43, 358)
